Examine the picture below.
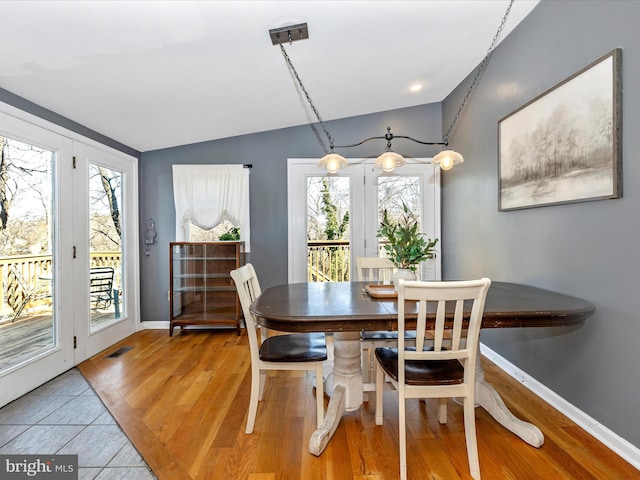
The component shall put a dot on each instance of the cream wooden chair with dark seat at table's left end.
(299, 351)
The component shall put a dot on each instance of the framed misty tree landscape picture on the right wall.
(565, 145)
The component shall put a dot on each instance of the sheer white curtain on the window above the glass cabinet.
(205, 195)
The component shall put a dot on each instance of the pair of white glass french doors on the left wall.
(50, 199)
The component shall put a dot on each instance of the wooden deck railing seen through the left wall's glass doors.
(34, 270)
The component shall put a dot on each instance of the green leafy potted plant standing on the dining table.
(406, 246)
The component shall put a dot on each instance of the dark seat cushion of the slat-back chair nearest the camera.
(427, 372)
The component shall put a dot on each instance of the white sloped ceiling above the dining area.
(155, 74)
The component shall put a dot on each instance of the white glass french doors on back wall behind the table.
(351, 202)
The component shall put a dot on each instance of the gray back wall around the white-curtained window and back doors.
(268, 153)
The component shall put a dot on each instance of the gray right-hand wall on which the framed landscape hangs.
(587, 249)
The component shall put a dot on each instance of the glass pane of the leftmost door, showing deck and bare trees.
(27, 321)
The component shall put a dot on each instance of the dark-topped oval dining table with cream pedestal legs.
(345, 309)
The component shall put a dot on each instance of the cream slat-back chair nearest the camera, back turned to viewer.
(441, 368)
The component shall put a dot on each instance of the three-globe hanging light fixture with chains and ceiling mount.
(388, 160)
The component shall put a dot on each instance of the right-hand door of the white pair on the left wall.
(105, 227)
